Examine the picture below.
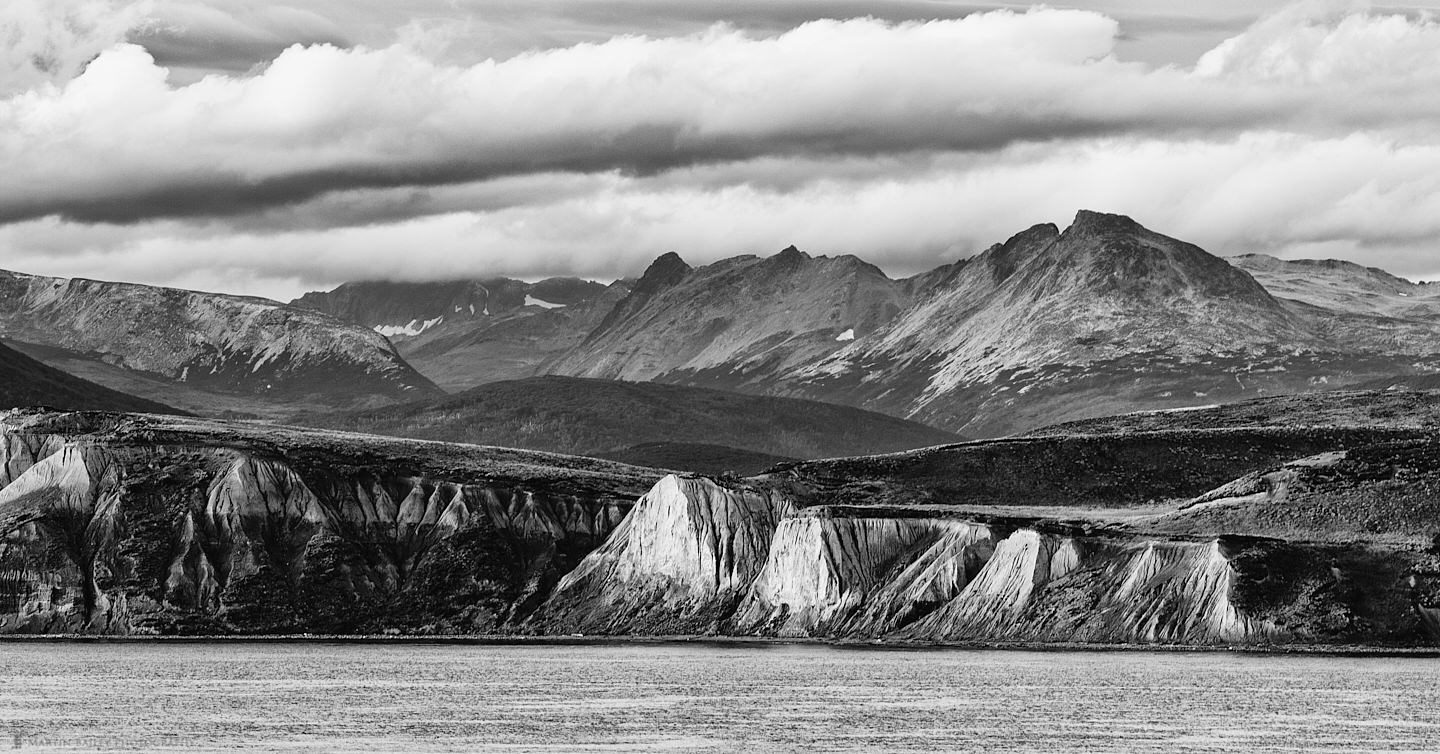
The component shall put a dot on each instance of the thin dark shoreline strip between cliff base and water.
(1334, 651)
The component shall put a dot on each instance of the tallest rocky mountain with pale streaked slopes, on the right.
(1105, 317)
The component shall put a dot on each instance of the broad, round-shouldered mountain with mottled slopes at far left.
(256, 353)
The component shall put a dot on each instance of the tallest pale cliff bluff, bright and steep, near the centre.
(686, 545)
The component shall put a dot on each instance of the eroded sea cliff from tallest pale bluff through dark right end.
(696, 558)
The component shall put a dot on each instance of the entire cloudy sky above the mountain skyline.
(273, 149)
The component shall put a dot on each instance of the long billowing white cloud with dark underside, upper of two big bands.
(122, 145)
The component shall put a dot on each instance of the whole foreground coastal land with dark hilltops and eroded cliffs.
(1252, 536)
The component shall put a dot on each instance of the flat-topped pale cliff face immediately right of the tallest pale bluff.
(823, 569)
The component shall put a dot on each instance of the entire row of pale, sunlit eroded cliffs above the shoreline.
(892, 578)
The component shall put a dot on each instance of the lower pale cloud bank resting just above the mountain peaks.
(1363, 198)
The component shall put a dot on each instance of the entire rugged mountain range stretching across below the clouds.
(1052, 326)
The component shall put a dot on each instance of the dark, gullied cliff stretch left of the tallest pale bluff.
(103, 535)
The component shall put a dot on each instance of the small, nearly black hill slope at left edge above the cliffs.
(27, 382)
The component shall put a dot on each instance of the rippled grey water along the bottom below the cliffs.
(319, 697)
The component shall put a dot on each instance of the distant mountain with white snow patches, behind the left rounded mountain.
(467, 333)
